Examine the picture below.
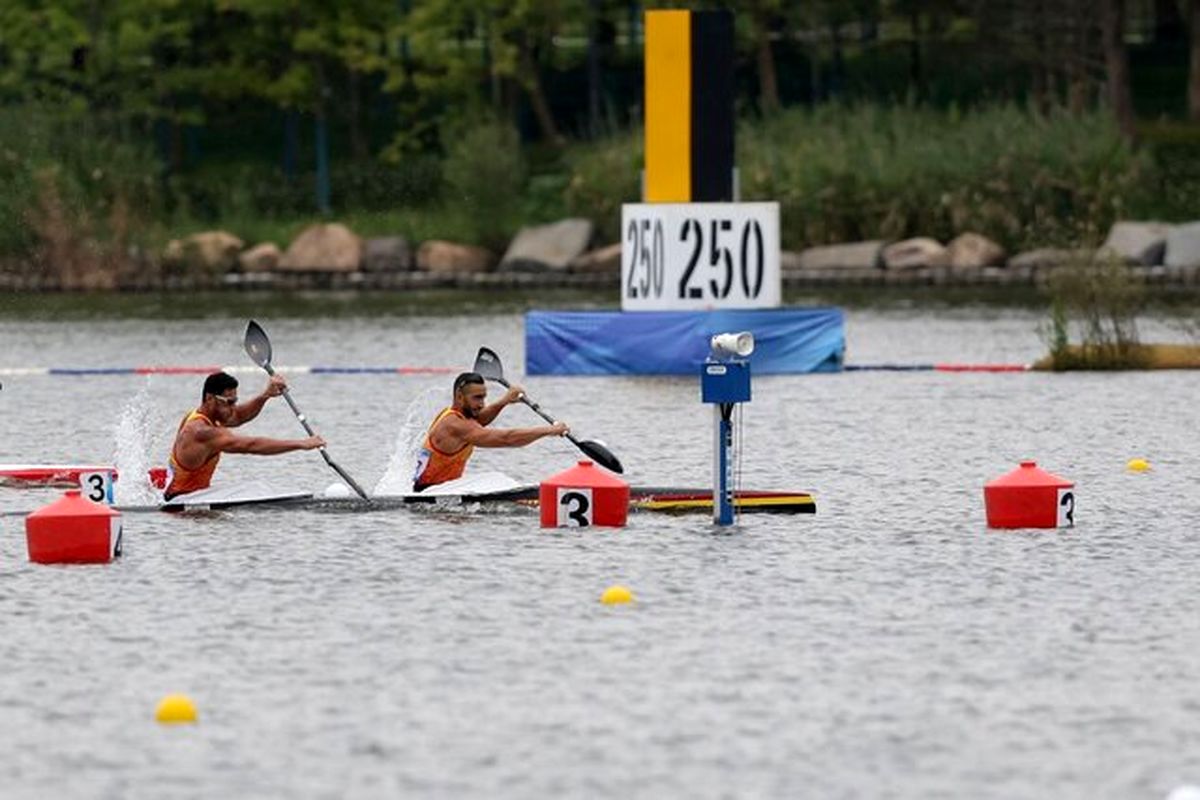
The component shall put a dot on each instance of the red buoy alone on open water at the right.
(1030, 497)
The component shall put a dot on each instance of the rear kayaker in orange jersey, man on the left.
(205, 434)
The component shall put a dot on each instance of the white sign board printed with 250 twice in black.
(700, 256)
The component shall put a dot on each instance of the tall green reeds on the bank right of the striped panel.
(871, 172)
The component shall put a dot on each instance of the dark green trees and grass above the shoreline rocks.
(127, 123)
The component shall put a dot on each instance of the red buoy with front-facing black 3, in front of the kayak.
(584, 496)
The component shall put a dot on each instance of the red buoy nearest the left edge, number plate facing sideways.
(74, 531)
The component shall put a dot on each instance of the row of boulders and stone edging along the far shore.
(560, 256)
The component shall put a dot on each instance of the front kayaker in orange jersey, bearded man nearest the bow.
(459, 430)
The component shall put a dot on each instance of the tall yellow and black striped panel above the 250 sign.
(689, 107)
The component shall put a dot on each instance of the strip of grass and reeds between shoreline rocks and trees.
(841, 173)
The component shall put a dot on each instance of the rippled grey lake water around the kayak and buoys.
(887, 647)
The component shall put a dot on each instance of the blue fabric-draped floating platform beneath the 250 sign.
(788, 341)
